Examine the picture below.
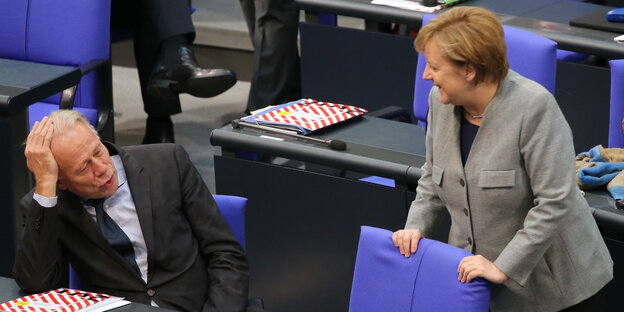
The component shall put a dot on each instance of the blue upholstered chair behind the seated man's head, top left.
(70, 33)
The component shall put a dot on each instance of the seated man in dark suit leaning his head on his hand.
(136, 222)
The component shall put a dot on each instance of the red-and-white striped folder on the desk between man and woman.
(306, 115)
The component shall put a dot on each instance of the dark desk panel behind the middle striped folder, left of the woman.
(344, 68)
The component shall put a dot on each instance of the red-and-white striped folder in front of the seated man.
(62, 300)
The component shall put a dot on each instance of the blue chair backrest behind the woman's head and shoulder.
(539, 65)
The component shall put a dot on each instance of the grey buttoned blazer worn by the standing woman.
(515, 201)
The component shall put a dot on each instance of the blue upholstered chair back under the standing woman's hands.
(384, 280)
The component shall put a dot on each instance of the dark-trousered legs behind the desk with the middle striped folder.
(273, 27)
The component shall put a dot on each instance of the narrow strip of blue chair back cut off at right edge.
(616, 110)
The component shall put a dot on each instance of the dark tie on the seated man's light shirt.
(113, 233)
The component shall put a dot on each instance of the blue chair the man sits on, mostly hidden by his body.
(232, 209)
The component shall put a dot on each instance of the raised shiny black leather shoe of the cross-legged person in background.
(188, 77)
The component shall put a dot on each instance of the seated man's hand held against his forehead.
(39, 158)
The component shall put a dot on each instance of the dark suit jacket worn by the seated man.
(195, 262)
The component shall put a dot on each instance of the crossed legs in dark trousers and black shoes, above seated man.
(163, 35)
